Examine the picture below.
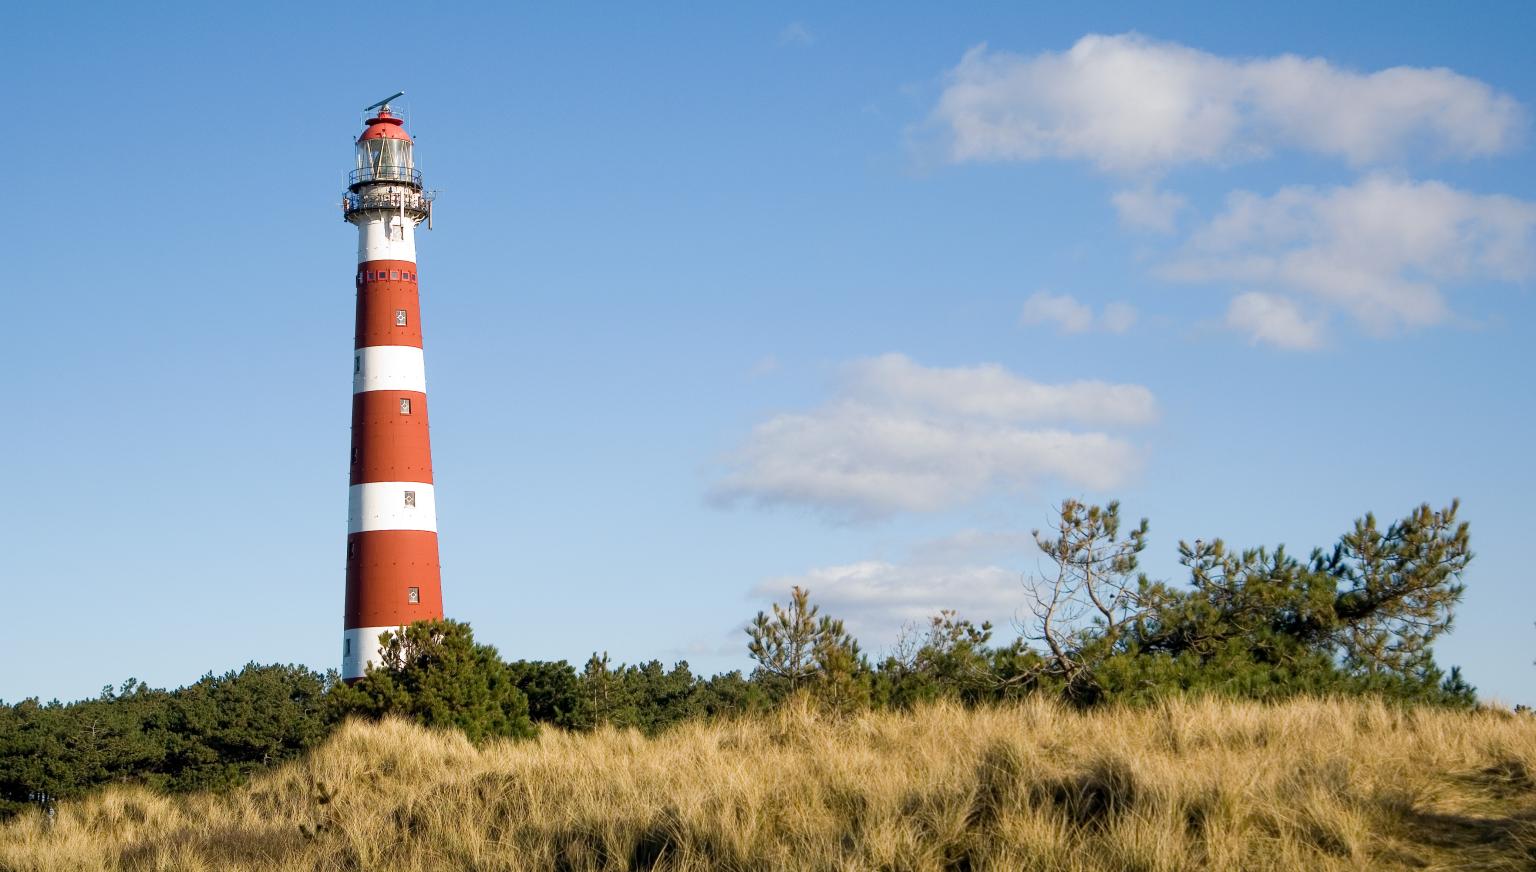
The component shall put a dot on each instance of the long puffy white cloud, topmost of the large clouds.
(1131, 104)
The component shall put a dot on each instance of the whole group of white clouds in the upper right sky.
(1382, 251)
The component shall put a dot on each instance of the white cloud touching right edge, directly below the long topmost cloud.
(1380, 249)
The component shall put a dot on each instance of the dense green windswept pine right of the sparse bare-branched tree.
(1362, 616)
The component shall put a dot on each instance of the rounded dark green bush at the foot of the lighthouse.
(437, 675)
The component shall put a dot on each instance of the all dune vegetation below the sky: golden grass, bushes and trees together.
(1274, 713)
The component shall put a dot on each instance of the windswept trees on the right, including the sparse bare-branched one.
(1251, 623)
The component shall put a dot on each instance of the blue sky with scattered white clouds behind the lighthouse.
(723, 300)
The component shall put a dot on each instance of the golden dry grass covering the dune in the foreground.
(1306, 785)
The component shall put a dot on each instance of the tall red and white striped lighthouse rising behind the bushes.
(392, 524)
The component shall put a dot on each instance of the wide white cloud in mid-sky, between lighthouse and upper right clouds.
(901, 437)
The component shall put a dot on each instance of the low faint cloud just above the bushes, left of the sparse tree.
(876, 599)
